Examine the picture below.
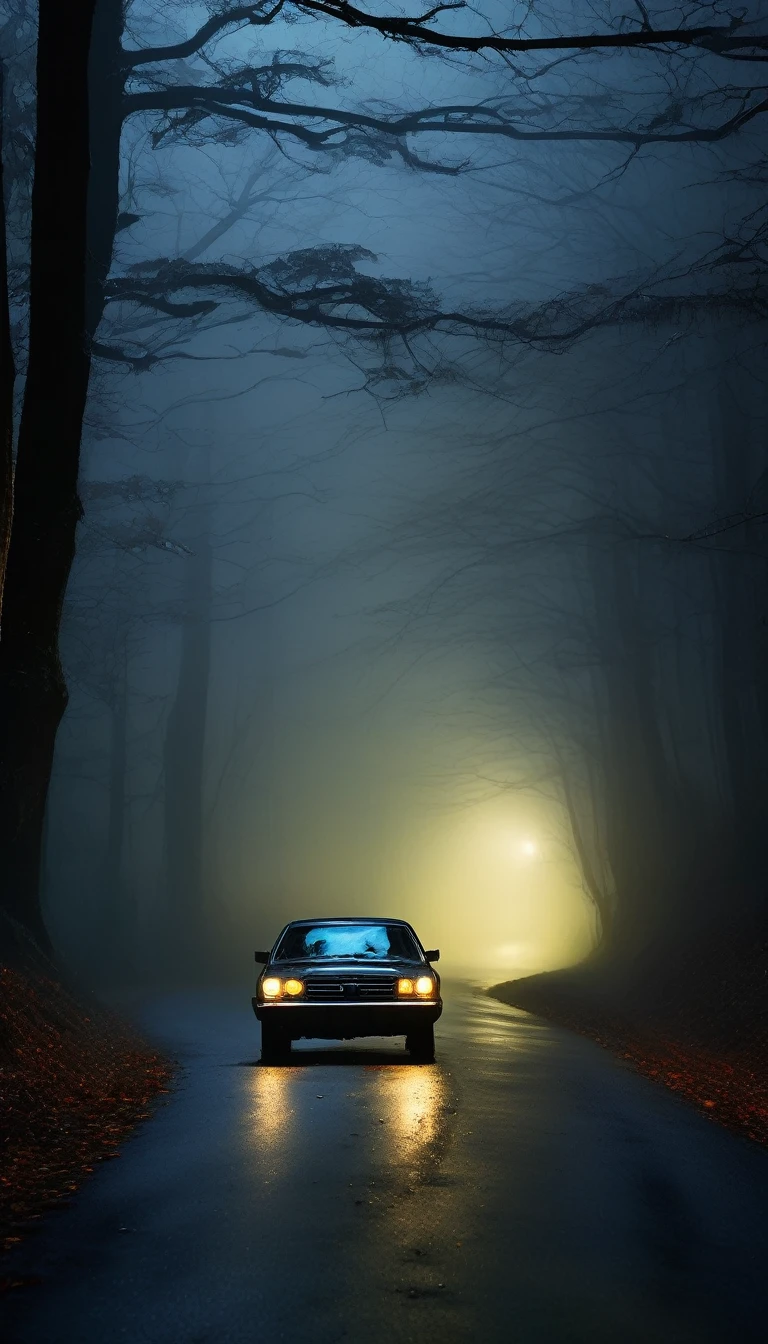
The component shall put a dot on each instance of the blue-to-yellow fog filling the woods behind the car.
(416, 627)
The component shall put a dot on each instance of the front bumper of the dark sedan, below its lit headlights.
(345, 1022)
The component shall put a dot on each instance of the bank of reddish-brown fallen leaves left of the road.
(75, 1081)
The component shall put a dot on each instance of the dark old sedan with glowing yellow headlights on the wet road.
(341, 979)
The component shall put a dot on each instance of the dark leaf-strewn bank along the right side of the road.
(728, 1088)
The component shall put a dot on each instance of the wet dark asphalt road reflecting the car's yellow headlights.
(525, 1189)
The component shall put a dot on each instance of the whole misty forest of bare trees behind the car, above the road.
(385, 480)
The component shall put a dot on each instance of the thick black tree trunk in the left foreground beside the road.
(33, 693)
